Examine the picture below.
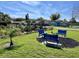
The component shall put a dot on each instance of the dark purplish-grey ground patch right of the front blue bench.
(68, 42)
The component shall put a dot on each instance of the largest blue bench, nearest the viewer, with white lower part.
(53, 39)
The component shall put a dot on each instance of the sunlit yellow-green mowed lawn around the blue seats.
(27, 46)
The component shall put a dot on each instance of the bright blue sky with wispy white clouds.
(37, 9)
